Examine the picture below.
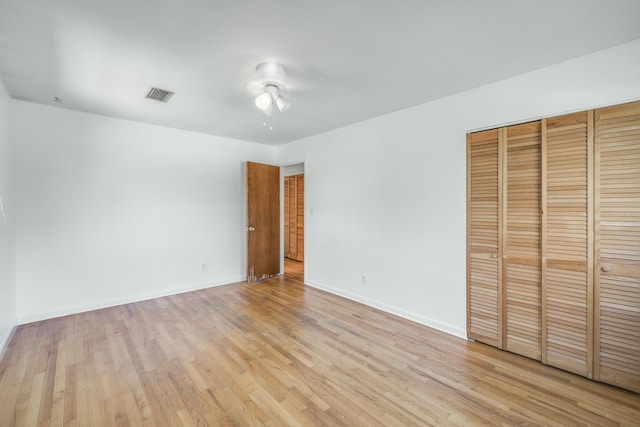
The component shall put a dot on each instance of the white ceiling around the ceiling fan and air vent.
(346, 60)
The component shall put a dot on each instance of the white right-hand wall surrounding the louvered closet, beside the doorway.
(389, 194)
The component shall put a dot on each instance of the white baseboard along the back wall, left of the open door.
(120, 301)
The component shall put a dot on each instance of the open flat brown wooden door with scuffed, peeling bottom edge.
(263, 221)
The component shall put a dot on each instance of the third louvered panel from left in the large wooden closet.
(567, 219)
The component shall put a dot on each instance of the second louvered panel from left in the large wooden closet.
(522, 240)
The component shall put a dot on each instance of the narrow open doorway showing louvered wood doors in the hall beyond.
(293, 221)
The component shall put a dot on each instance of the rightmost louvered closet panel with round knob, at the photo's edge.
(617, 272)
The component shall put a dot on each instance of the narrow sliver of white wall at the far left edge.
(7, 223)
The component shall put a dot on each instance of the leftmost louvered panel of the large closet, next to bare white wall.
(483, 237)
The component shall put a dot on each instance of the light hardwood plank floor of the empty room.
(280, 353)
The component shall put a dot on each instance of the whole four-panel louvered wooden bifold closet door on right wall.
(553, 241)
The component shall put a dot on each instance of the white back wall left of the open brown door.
(113, 211)
